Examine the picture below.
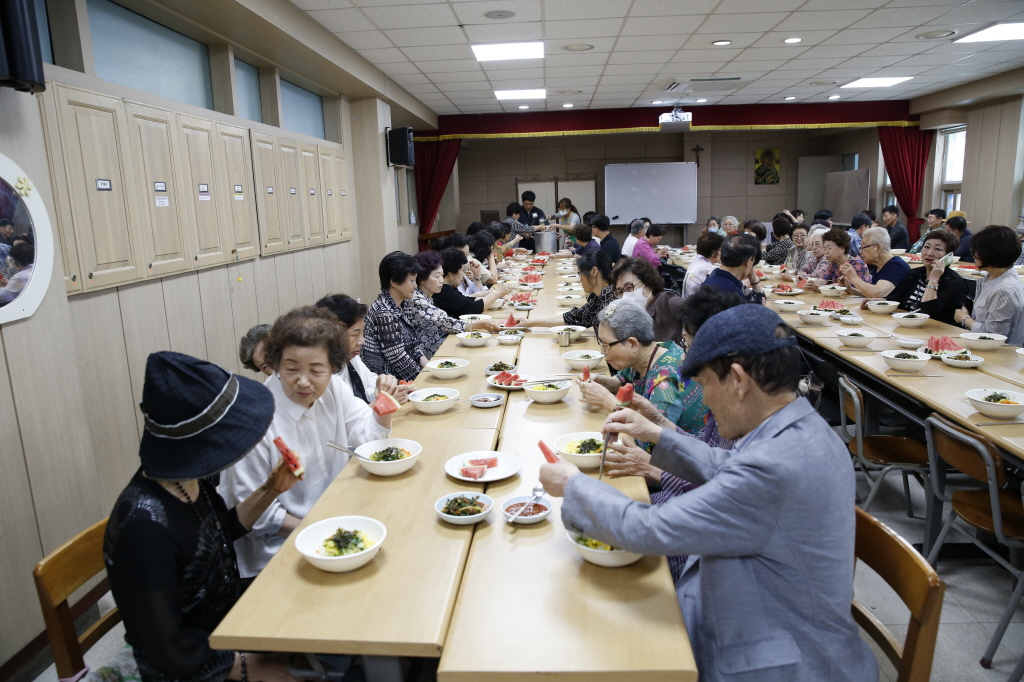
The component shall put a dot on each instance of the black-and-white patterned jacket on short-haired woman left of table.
(393, 346)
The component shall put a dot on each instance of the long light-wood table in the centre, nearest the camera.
(527, 603)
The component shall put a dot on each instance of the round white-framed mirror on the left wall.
(26, 244)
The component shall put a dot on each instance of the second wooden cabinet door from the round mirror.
(158, 191)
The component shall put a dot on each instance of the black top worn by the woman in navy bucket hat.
(174, 576)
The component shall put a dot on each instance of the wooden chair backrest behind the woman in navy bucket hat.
(58, 577)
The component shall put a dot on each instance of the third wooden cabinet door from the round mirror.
(203, 196)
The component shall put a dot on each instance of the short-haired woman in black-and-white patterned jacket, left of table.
(392, 344)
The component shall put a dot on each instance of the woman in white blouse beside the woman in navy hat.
(307, 349)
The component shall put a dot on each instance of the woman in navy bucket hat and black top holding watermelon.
(169, 545)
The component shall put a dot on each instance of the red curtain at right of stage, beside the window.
(905, 152)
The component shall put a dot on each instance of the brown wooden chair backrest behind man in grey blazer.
(917, 584)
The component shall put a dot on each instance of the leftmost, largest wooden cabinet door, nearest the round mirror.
(99, 168)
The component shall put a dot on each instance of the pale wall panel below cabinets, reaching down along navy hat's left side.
(145, 322)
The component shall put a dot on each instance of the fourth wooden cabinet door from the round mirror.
(234, 173)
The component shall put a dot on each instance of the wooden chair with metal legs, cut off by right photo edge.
(994, 508)
